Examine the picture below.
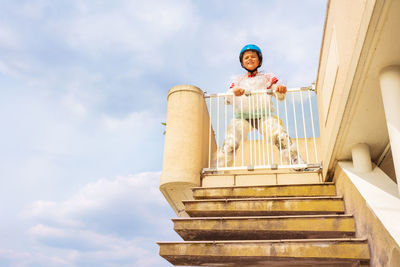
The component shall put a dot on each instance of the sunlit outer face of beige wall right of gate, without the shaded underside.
(339, 52)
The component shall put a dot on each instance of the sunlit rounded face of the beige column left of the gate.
(184, 134)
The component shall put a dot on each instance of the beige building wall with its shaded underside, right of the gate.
(358, 42)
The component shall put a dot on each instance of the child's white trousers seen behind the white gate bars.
(270, 127)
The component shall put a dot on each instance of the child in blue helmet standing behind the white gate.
(255, 112)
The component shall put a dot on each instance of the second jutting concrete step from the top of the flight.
(264, 206)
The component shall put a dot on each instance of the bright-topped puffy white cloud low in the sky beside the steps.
(106, 205)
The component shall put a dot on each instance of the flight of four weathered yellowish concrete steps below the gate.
(275, 225)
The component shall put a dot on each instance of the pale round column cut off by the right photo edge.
(389, 79)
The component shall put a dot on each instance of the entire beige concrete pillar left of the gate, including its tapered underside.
(186, 147)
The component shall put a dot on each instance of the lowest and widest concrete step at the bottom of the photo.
(316, 252)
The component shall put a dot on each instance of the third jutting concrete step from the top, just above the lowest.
(266, 228)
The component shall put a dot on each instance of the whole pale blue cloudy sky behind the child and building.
(83, 92)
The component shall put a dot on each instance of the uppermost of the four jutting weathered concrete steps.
(306, 190)
